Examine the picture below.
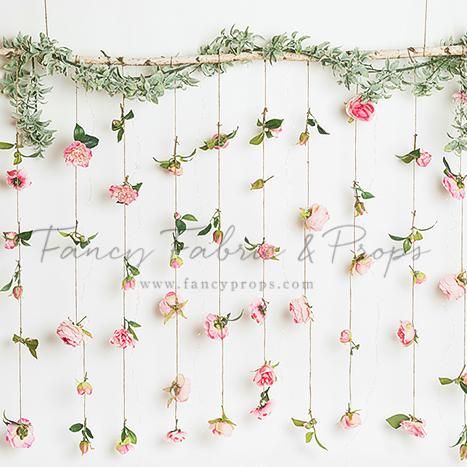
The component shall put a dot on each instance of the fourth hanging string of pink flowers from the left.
(172, 305)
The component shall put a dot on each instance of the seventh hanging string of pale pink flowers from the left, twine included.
(314, 219)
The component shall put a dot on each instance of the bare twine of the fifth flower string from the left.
(219, 189)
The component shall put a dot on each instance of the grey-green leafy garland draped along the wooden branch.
(25, 71)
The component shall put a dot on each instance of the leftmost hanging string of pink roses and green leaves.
(20, 432)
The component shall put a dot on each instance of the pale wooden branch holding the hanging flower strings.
(443, 51)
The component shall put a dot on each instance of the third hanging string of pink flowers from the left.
(125, 337)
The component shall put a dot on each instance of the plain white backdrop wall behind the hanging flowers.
(382, 367)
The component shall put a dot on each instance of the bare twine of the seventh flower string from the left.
(305, 271)
